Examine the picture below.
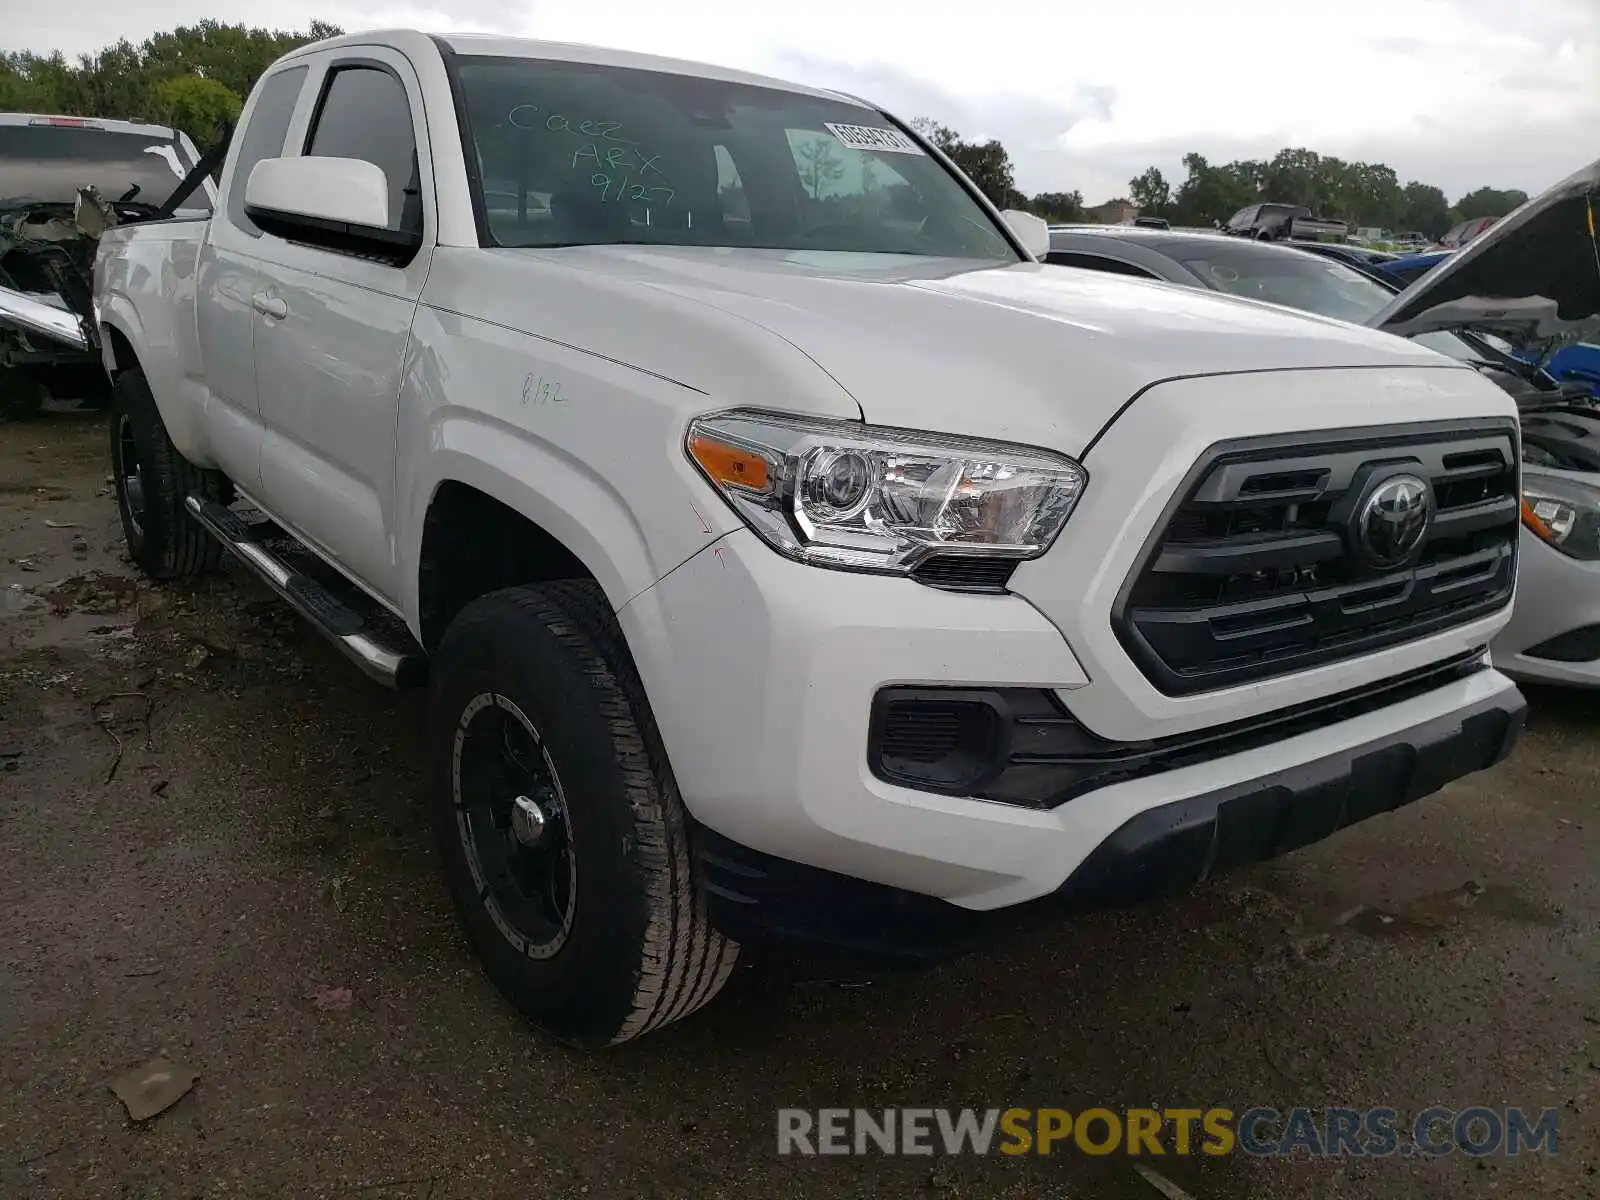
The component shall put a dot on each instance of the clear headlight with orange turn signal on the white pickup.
(839, 494)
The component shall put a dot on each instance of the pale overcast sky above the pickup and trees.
(1084, 94)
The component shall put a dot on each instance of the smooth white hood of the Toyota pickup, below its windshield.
(1022, 353)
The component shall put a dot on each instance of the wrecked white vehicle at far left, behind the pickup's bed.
(63, 182)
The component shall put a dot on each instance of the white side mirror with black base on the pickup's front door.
(338, 204)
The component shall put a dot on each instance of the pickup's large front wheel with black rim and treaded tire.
(564, 839)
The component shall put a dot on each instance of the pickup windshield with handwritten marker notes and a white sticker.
(586, 154)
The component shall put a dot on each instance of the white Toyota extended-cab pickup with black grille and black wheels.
(786, 551)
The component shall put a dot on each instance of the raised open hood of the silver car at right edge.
(1534, 278)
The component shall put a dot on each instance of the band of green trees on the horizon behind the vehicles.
(196, 79)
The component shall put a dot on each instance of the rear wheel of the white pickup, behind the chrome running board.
(153, 481)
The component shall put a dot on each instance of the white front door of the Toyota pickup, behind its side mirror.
(332, 332)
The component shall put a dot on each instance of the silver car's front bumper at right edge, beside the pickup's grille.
(1558, 596)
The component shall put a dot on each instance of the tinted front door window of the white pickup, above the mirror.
(366, 114)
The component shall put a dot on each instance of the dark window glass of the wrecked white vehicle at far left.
(52, 162)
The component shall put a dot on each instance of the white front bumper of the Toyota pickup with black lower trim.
(762, 676)
